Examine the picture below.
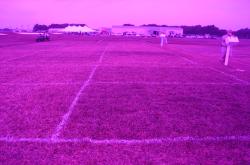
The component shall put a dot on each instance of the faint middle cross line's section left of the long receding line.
(41, 84)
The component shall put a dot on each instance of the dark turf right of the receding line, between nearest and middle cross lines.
(139, 111)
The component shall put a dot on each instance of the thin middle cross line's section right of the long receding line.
(165, 83)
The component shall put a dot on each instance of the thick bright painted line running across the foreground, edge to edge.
(166, 140)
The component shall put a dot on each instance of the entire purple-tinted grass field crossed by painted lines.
(123, 100)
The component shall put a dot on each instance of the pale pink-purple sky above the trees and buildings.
(226, 14)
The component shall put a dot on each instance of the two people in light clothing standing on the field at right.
(226, 44)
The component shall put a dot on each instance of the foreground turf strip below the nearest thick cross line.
(172, 153)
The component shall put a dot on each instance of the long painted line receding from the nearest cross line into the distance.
(66, 117)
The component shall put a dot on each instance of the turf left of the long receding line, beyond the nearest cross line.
(39, 82)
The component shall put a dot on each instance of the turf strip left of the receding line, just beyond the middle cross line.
(20, 74)
